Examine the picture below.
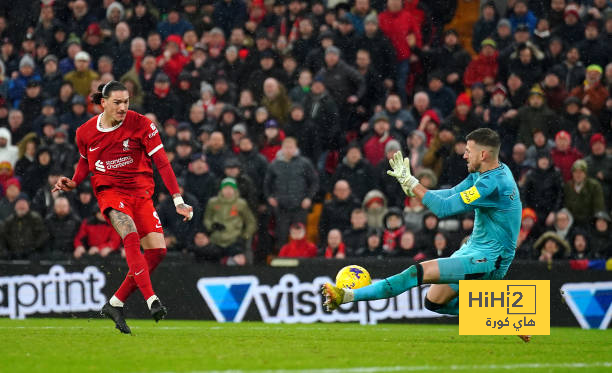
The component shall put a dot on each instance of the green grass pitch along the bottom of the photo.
(82, 345)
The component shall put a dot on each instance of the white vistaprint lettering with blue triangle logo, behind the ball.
(294, 301)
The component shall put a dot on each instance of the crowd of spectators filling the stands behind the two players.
(279, 117)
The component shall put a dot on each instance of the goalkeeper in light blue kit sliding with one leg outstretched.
(490, 191)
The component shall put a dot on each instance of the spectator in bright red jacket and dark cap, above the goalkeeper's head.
(484, 67)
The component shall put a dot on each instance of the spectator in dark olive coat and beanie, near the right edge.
(583, 195)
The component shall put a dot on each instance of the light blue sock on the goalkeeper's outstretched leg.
(391, 286)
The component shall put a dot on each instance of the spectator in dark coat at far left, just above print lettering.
(23, 234)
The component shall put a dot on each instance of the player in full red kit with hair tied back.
(117, 147)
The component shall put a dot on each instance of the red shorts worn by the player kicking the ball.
(140, 209)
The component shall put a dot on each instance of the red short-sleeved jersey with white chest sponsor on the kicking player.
(120, 157)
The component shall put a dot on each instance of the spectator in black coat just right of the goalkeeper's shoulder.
(543, 189)
